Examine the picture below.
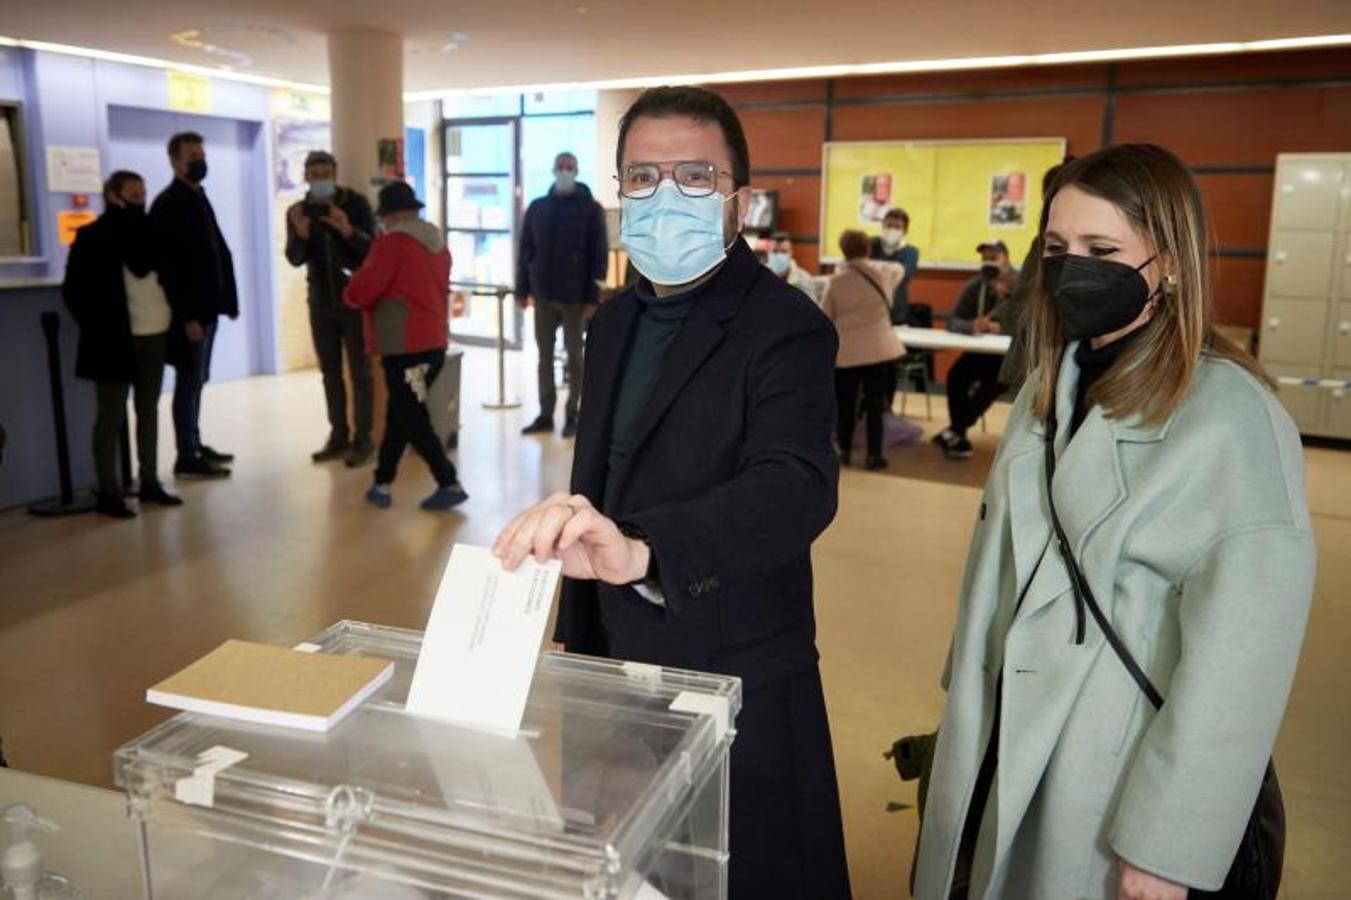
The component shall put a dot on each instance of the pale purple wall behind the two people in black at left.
(120, 109)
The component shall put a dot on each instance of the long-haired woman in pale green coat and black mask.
(1179, 480)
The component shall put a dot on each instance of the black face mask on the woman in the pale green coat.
(1096, 297)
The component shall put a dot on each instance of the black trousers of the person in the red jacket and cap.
(407, 376)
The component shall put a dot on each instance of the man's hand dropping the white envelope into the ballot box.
(568, 528)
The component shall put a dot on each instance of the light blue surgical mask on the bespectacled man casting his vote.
(672, 239)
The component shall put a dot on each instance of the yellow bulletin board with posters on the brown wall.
(957, 194)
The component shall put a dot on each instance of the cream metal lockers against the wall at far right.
(1306, 333)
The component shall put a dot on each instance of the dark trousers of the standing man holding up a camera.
(337, 329)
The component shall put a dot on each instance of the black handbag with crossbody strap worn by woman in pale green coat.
(1256, 872)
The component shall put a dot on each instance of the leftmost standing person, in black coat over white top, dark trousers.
(114, 295)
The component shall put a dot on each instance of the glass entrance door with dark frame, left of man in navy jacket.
(482, 201)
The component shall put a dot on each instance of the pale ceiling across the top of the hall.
(513, 43)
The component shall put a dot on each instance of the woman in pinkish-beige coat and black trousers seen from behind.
(859, 301)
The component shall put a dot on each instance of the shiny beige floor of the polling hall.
(93, 611)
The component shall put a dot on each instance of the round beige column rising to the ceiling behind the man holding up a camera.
(367, 78)
